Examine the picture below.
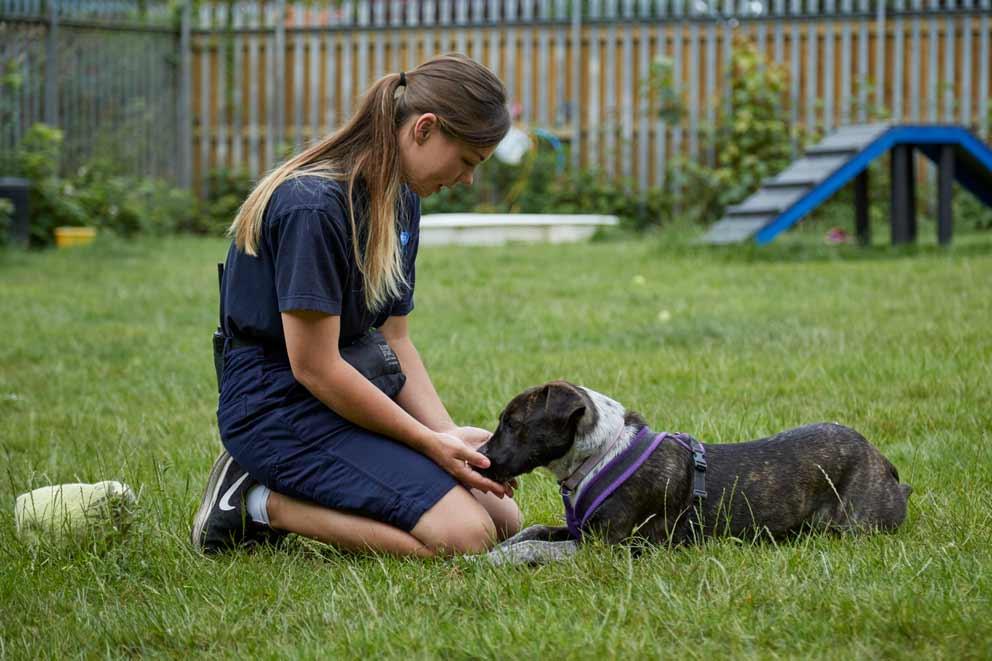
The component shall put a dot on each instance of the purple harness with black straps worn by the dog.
(620, 468)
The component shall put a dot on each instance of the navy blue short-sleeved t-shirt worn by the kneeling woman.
(306, 261)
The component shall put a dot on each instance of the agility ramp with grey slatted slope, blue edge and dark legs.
(843, 157)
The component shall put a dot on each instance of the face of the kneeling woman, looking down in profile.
(431, 160)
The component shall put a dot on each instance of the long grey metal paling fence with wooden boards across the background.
(240, 83)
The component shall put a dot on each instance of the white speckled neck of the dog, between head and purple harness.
(610, 426)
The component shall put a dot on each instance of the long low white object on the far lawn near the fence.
(493, 229)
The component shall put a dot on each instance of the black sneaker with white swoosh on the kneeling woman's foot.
(222, 522)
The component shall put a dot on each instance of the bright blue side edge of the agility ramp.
(973, 170)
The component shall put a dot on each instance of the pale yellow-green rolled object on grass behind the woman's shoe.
(75, 512)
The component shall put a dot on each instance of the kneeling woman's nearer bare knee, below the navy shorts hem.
(456, 524)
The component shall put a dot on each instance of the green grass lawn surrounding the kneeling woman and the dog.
(106, 373)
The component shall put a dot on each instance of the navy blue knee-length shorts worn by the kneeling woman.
(294, 444)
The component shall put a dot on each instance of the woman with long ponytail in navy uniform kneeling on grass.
(324, 250)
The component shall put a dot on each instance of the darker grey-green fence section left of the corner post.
(104, 72)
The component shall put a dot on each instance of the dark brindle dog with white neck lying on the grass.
(813, 478)
